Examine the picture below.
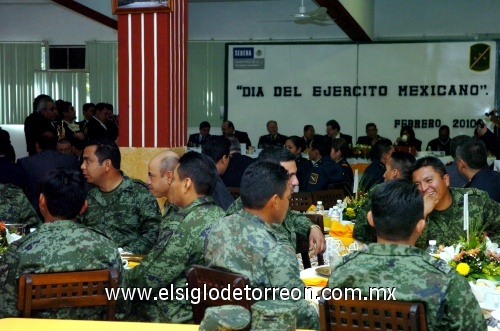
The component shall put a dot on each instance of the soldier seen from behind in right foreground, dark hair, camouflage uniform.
(398, 215)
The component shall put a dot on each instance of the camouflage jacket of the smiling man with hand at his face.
(446, 226)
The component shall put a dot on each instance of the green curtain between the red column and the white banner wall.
(205, 82)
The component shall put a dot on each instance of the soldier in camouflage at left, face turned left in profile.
(119, 207)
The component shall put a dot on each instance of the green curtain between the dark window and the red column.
(101, 61)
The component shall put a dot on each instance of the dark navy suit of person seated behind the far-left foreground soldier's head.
(37, 166)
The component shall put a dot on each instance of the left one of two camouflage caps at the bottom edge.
(225, 318)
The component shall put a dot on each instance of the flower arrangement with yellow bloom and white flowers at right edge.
(476, 258)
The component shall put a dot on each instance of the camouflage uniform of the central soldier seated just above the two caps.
(243, 243)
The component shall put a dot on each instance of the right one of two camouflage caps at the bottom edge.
(274, 315)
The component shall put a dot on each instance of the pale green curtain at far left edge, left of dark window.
(18, 62)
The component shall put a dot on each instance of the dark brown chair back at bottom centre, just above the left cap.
(206, 278)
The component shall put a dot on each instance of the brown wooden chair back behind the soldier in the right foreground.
(371, 315)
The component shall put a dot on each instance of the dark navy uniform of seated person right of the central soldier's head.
(324, 172)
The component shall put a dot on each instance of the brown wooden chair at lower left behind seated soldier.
(67, 289)
